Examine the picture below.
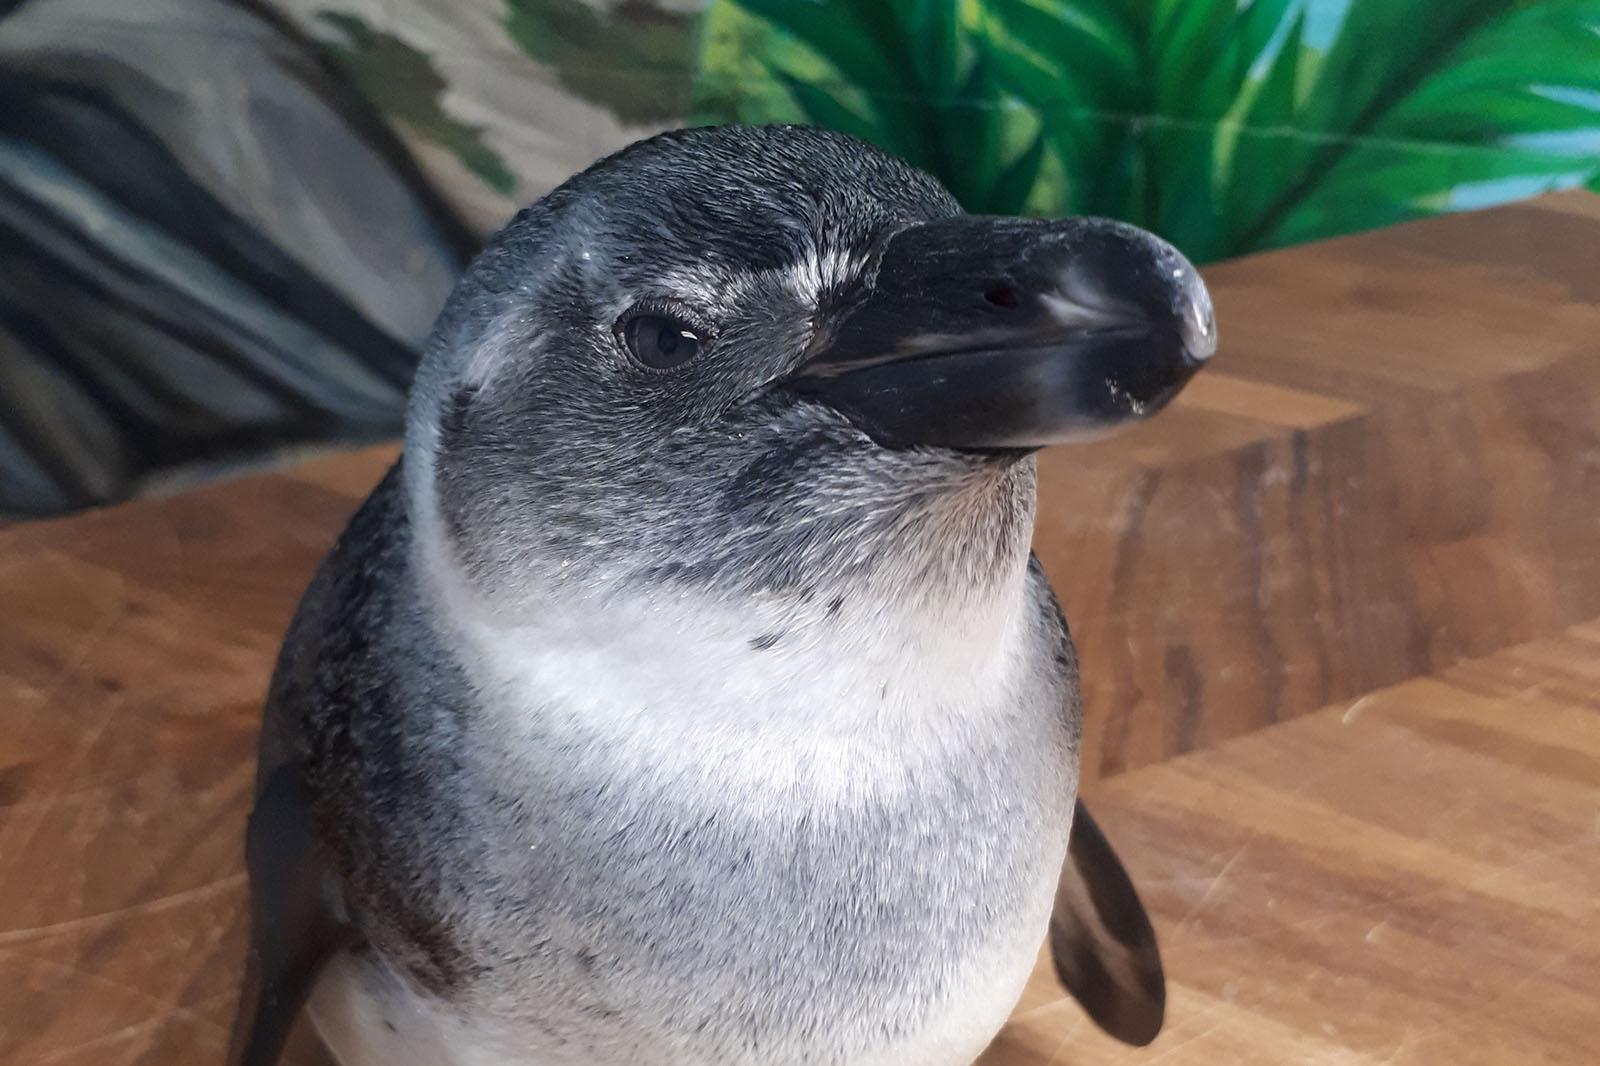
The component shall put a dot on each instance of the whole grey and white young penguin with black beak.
(689, 691)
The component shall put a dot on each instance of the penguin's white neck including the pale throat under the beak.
(943, 623)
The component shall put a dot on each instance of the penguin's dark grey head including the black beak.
(762, 361)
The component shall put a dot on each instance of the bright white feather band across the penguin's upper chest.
(770, 692)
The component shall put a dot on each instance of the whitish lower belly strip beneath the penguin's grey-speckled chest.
(370, 1016)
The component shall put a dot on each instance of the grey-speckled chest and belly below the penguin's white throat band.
(849, 905)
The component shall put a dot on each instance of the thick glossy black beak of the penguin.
(1004, 334)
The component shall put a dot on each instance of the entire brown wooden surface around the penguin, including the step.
(1383, 502)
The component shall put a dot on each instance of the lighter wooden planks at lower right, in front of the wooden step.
(1407, 880)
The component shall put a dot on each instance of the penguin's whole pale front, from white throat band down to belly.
(762, 836)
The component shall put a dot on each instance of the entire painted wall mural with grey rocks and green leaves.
(226, 225)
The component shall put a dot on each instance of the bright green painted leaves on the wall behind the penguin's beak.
(1225, 126)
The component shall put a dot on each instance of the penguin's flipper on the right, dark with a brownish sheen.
(1103, 942)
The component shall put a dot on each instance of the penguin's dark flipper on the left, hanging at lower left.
(294, 920)
